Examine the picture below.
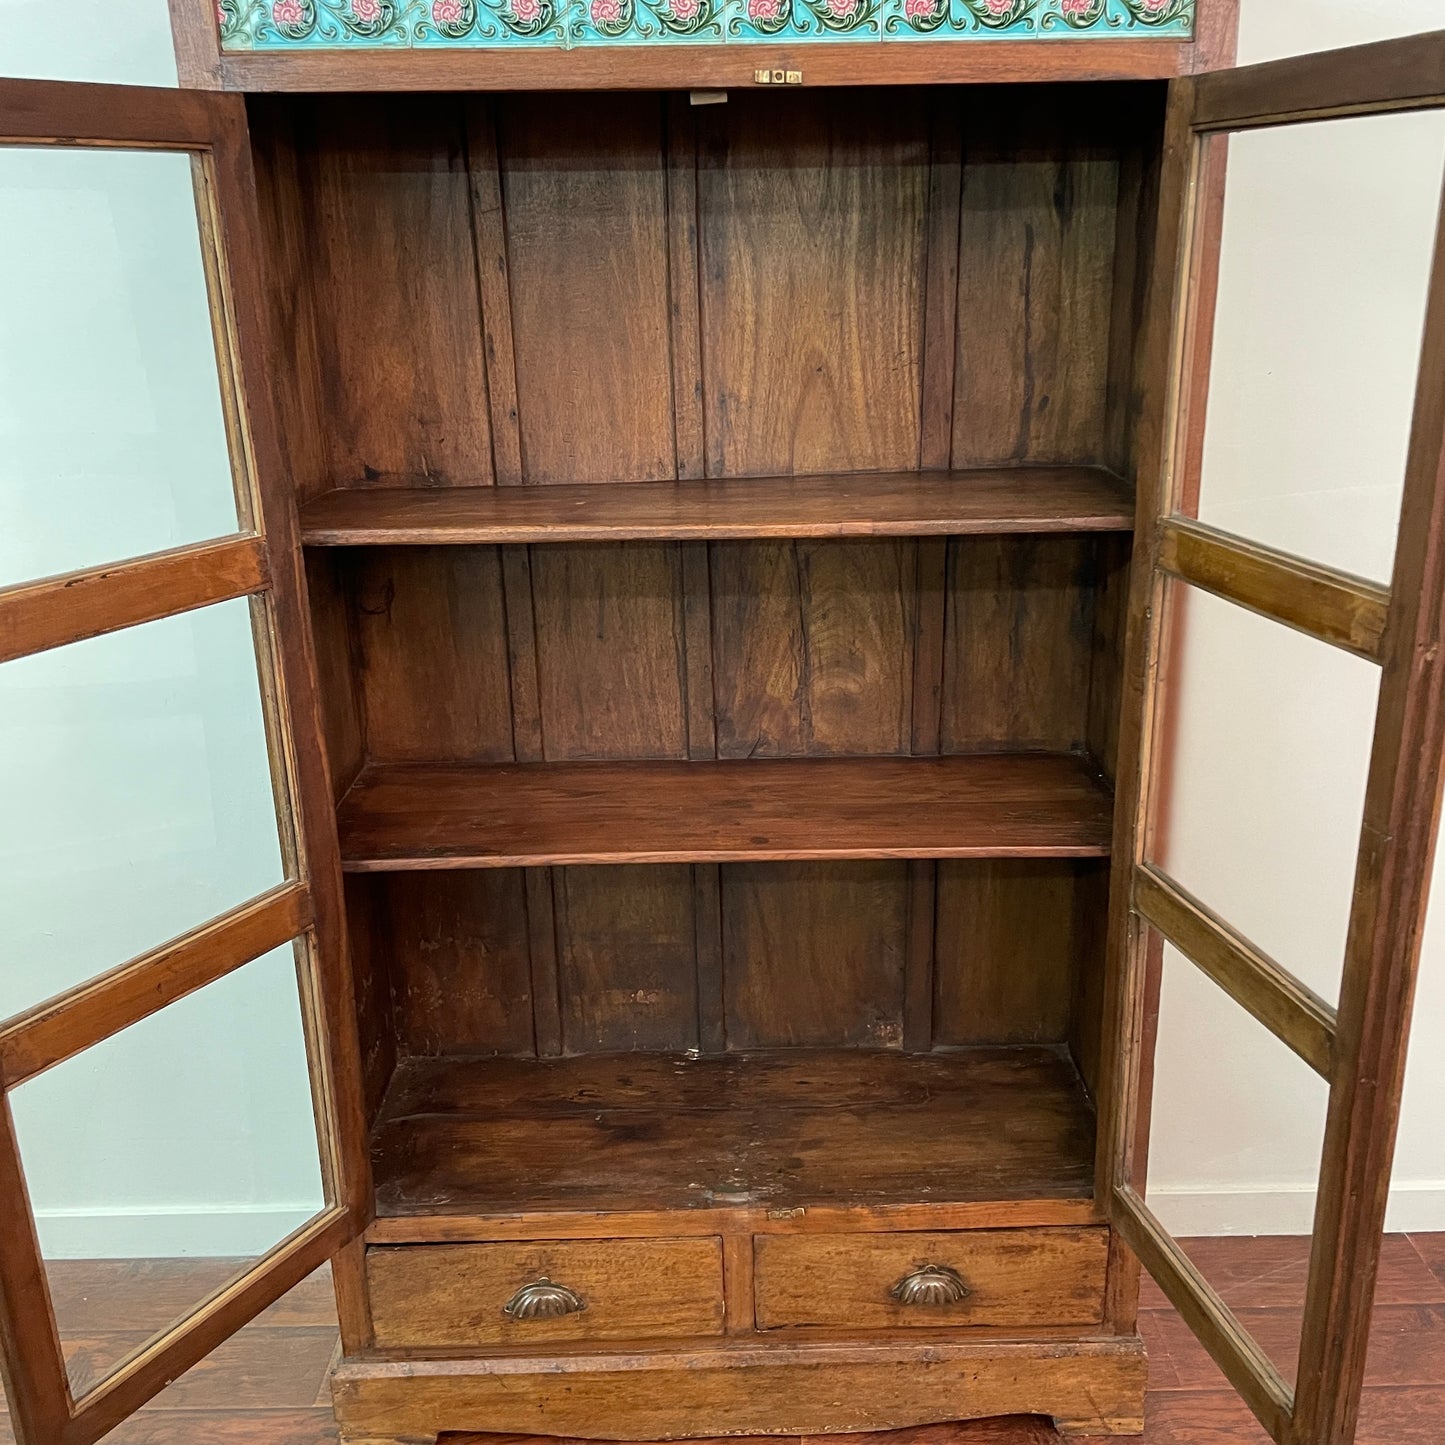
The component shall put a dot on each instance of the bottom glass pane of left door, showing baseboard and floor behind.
(168, 1160)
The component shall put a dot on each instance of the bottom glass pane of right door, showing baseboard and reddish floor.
(1236, 1145)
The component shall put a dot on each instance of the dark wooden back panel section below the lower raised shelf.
(729, 959)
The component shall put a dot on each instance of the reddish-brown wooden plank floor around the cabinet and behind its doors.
(269, 1385)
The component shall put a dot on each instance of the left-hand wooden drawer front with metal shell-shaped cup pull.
(439, 1295)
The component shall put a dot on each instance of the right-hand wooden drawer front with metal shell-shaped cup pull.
(1001, 1278)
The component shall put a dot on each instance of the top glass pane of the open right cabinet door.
(1317, 339)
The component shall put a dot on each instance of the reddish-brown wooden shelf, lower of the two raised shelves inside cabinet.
(459, 816)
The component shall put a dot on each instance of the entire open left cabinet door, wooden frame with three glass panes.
(176, 1069)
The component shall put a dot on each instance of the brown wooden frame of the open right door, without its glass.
(1360, 1045)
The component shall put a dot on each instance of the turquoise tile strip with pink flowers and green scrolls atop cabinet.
(281, 25)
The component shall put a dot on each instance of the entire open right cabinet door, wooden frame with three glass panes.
(1282, 754)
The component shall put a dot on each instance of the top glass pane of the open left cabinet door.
(112, 433)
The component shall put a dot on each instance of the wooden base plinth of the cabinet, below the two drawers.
(1089, 1386)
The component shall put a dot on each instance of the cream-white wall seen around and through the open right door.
(1330, 241)
